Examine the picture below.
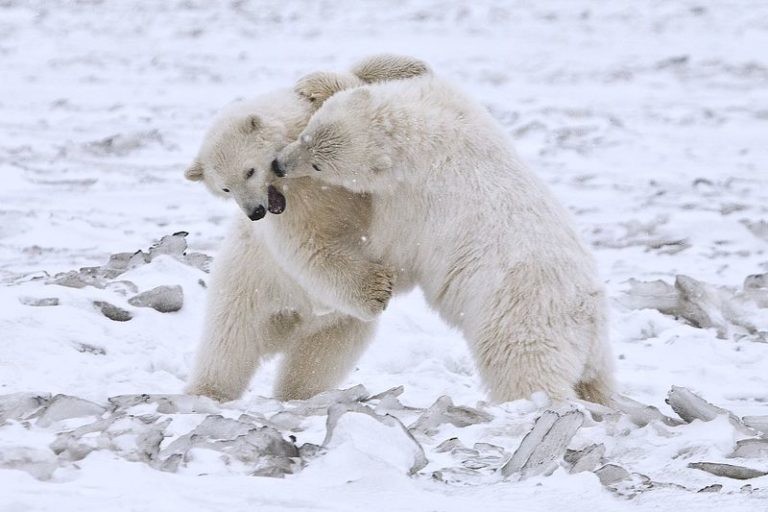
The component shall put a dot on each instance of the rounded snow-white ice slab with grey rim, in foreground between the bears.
(382, 436)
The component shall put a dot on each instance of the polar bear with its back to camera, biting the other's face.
(494, 252)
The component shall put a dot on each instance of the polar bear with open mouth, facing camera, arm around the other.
(299, 281)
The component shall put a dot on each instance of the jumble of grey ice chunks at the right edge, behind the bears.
(731, 312)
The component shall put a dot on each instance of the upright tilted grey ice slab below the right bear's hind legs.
(543, 447)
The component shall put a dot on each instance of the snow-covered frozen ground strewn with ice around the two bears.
(648, 119)
